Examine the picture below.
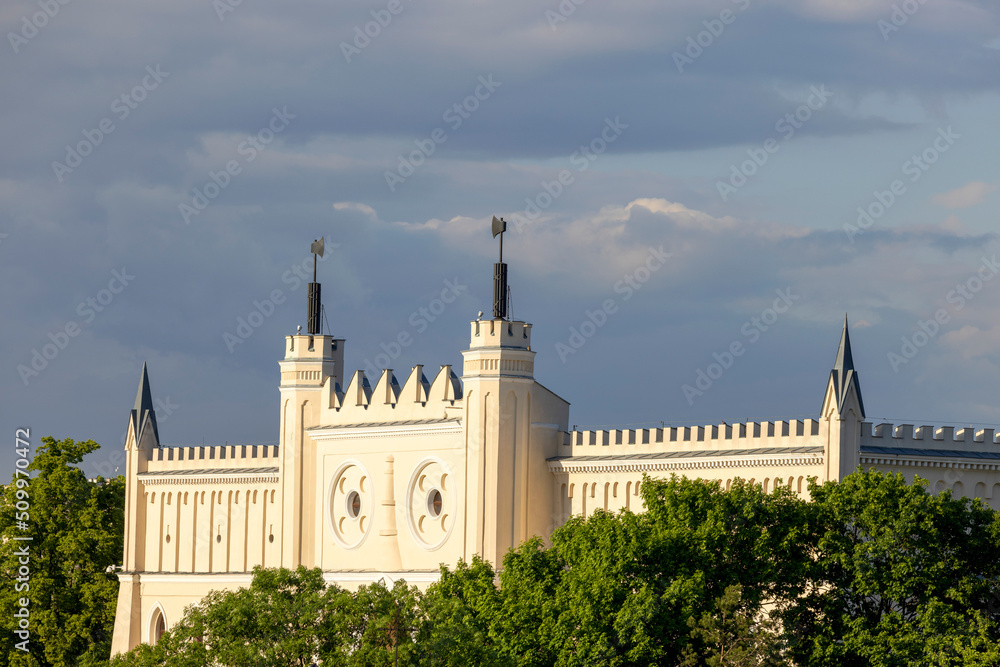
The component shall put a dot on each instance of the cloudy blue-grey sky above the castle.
(172, 162)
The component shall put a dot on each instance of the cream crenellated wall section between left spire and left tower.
(210, 509)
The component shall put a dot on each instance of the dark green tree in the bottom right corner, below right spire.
(901, 577)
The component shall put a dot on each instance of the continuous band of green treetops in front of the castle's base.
(872, 571)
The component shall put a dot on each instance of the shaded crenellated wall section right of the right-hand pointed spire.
(966, 461)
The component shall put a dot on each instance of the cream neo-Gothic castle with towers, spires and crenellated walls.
(376, 480)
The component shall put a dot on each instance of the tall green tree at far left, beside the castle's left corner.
(77, 529)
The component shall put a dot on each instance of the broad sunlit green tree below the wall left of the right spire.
(618, 589)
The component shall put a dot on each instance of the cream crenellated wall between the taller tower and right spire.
(604, 469)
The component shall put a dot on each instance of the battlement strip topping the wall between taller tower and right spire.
(749, 435)
